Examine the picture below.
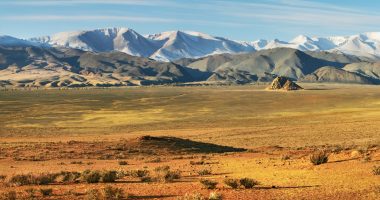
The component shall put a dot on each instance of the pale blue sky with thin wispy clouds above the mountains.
(244, 20)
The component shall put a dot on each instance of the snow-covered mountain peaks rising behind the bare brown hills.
(173, 45)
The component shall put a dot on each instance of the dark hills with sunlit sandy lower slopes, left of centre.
(58, 67)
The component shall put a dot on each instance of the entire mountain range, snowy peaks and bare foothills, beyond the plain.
(122, 57)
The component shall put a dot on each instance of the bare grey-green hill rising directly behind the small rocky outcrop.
(287, 62)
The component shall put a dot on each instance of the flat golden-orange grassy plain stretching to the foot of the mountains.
(47, 131)
